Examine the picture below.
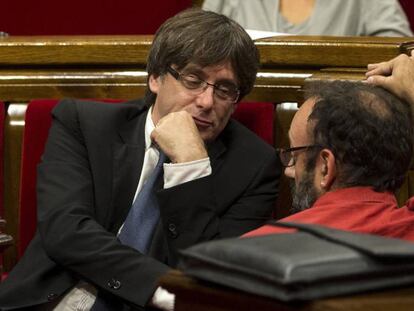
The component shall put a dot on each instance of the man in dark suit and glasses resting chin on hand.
(221, 179)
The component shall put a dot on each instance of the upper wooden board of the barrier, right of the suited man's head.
(323, 51)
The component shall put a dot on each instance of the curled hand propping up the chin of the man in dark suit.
(177, 136)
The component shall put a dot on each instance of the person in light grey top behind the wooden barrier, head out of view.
(317, 17)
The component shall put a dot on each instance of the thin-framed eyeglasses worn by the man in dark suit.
(225, 93)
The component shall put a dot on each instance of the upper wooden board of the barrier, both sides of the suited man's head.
(297, 51)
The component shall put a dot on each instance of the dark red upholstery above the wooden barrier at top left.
(93, 17)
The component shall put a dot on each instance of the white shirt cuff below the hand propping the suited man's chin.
(179, 173)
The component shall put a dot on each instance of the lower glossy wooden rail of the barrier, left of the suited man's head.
(23, 85)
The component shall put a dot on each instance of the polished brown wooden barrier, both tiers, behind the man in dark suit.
(114, 66)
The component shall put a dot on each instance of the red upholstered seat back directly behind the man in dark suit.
(256, 116)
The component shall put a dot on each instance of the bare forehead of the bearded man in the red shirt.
(299, 128)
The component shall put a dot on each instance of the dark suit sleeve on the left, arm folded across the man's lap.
(71, 235)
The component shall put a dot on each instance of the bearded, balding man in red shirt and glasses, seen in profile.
(351, 146)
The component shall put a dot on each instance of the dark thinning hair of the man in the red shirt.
(368, 129)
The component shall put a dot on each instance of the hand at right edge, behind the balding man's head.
(396, 75)
